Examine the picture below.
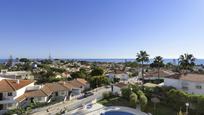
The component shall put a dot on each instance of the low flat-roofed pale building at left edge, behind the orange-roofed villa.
(5, 74)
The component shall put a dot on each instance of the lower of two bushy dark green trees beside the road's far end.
(98, 81)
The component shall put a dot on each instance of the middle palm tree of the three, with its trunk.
(157, 63)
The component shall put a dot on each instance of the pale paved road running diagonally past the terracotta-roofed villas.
(70, 105)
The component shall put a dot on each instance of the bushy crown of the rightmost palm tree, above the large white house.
(186, 62)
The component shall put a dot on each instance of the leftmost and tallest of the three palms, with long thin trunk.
(142, 57)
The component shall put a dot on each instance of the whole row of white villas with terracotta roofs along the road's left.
(14, 93)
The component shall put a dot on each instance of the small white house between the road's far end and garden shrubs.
(116, 89)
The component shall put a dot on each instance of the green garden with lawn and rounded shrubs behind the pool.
(170, 100)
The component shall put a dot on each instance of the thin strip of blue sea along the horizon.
(173, 61)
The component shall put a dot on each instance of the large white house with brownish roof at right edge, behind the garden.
(190, 83)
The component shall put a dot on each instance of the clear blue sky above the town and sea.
(101, 28)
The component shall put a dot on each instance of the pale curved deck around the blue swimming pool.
(97, 109)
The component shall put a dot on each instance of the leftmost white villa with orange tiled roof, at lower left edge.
(10, 91)
